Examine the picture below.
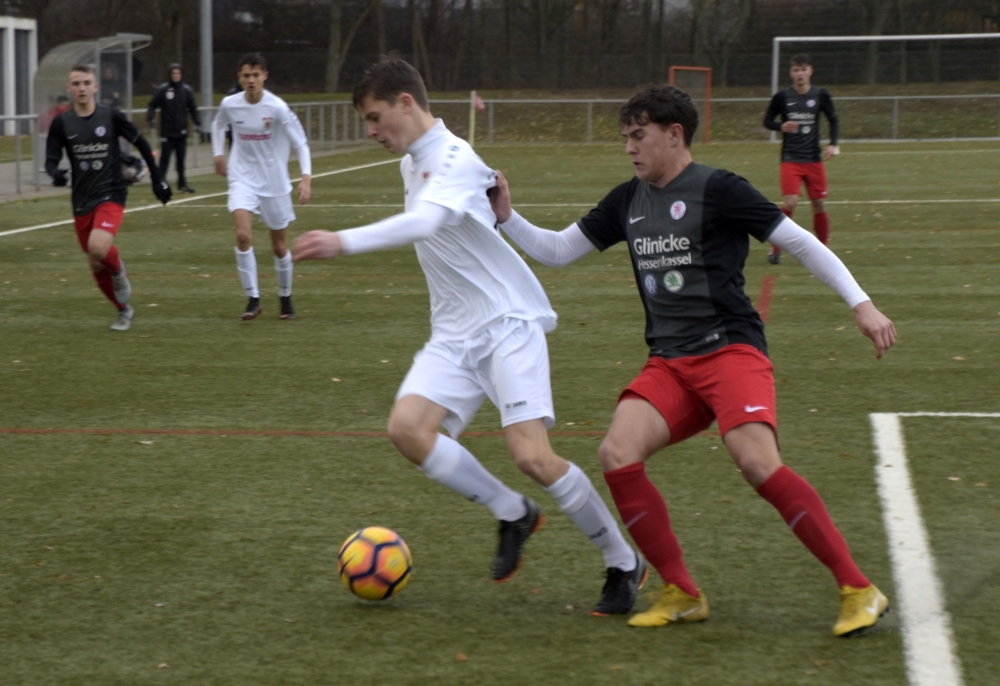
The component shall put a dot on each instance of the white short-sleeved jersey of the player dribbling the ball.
(474, 277)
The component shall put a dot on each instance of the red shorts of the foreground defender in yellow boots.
(734, 384)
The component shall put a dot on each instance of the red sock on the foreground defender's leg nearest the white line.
(804, 512)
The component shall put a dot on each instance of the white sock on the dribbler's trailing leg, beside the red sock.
(580, 501)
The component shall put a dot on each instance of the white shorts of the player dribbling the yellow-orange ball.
(508, 363)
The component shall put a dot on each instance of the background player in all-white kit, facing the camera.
(264, 129)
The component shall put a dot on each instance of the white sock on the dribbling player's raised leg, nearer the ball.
(453, 466)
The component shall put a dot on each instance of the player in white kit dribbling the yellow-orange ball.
(489, 316)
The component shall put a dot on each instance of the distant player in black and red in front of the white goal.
(798, 107)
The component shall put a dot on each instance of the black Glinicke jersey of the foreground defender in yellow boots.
(689, 242)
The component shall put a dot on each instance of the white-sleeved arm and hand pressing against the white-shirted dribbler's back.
(551, 248)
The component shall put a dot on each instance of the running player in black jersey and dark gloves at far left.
(89, 133)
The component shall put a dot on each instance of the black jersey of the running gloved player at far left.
(91, 143)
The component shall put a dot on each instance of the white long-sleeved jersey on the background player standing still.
(262, 136)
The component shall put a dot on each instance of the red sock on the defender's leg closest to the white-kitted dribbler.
(644, 513)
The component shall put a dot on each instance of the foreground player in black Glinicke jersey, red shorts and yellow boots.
(687, 227)
